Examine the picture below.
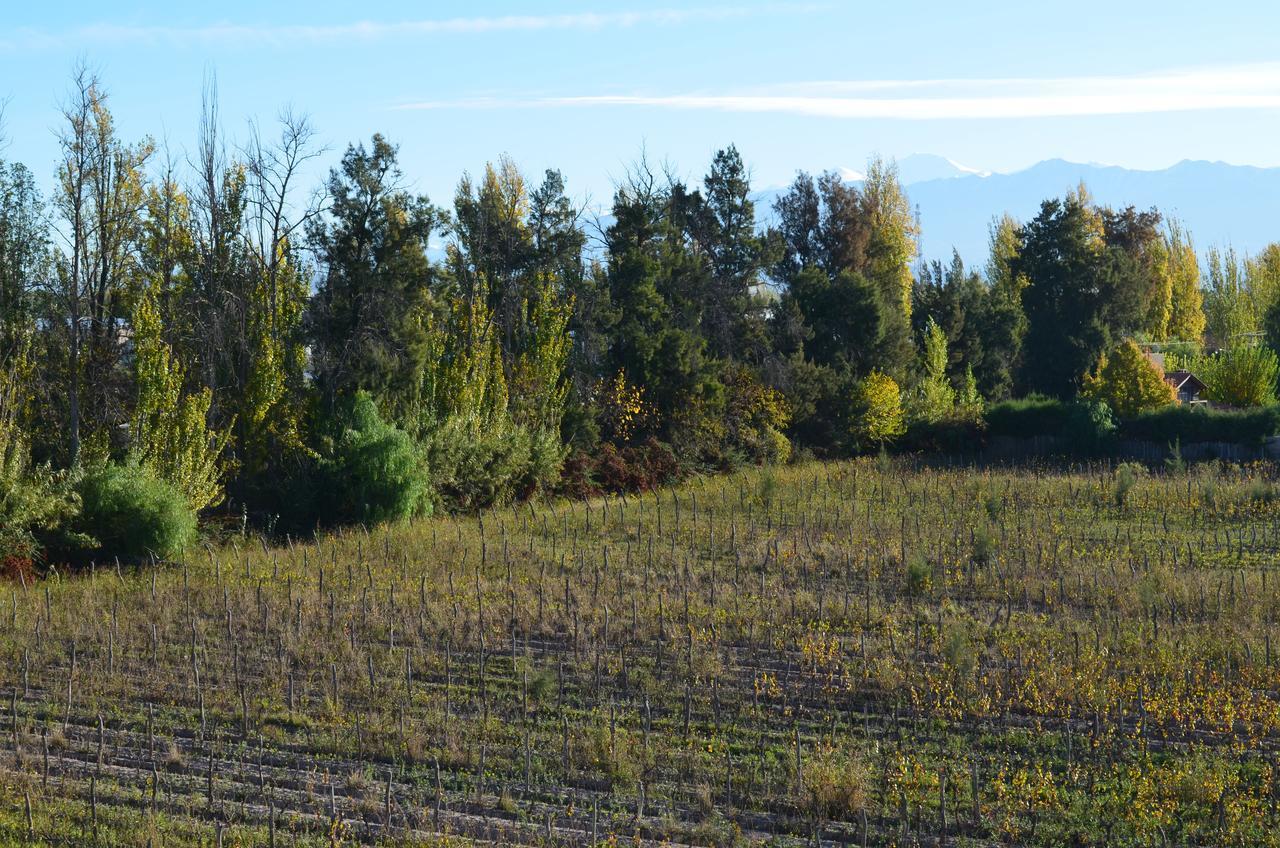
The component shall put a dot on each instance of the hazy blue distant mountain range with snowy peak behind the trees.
(1220, 204)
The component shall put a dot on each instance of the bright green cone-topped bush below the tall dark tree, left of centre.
(377, 473)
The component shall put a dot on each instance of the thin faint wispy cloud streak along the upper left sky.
(241, 34)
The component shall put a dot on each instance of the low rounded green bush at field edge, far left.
(131, 514)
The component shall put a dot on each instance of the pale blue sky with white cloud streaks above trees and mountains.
(587, 88)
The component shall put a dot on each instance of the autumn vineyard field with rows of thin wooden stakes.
(870, 654)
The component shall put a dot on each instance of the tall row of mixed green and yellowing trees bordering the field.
(203, 335)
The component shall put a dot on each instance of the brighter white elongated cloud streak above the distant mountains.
(1188, 90)
